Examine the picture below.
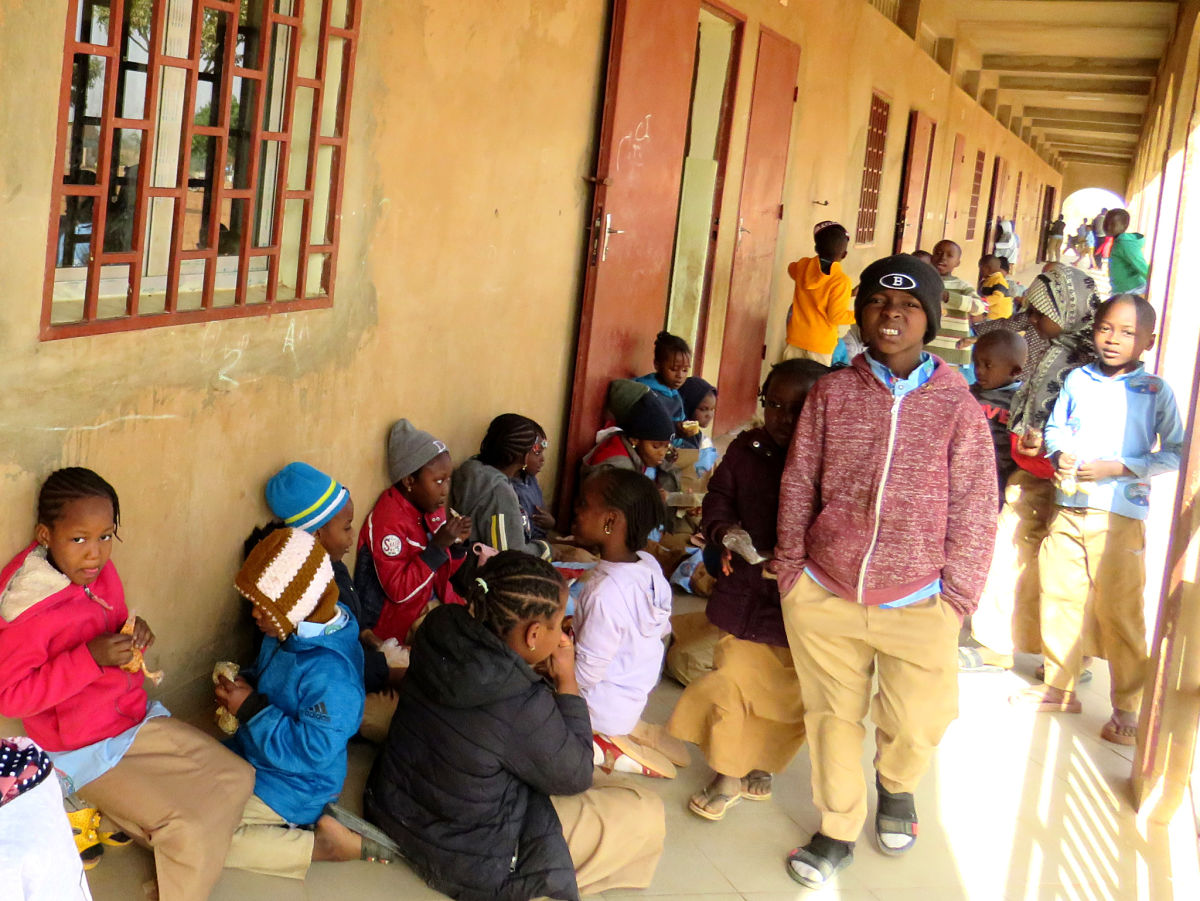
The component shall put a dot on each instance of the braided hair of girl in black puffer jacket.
(514, 588)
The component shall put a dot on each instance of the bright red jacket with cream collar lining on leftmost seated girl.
(49, 678)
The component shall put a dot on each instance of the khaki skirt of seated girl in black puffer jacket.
(615, 832)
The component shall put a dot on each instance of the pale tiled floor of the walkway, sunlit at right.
(1017, 808)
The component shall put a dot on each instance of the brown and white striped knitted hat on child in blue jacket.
(290, 578)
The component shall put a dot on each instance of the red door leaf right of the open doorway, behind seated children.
(760, 211)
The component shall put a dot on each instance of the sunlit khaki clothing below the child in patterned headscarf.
(1009, 617)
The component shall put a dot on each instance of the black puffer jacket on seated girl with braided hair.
(477, 746)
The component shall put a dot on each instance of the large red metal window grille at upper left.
(201, 161)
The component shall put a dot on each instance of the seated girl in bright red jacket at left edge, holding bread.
(71, 674)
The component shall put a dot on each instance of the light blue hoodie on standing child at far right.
(1124, 418)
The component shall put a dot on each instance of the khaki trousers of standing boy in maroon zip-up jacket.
(838, 646)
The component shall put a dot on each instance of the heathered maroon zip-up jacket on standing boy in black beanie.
(881, 496)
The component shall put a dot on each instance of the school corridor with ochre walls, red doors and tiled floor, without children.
(239, 233)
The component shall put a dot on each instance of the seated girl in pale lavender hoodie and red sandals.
(621, 621)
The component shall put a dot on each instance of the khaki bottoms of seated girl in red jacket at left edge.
(181, 794)
